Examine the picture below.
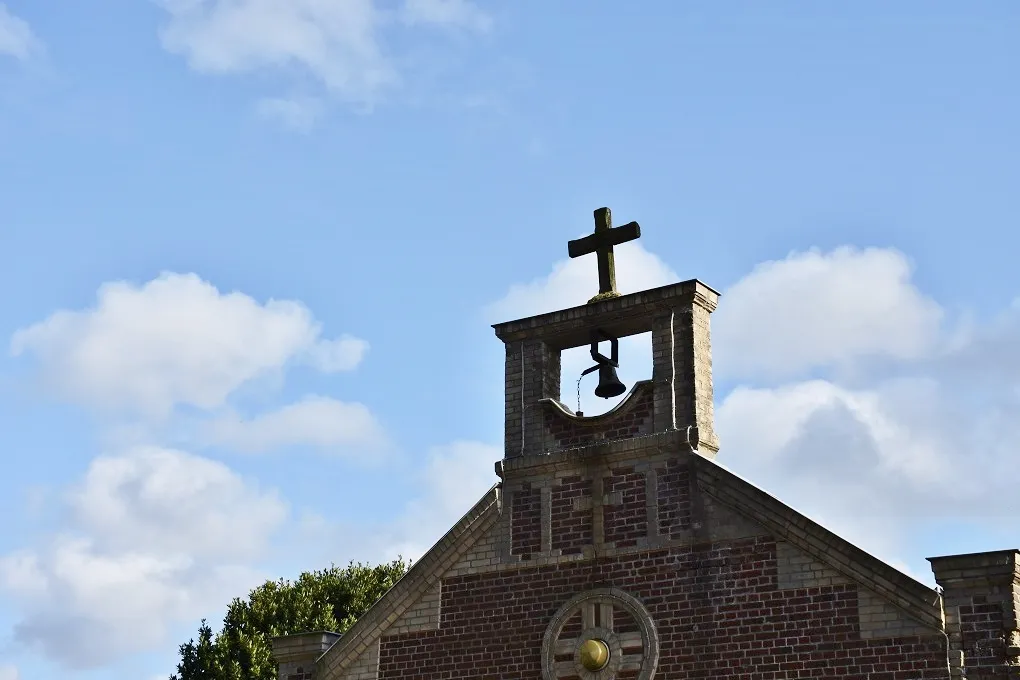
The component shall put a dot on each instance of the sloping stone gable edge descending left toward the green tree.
(414, 585)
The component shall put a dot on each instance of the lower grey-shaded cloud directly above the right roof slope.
(885, 461)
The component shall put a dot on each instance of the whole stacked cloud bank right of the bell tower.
(879, 460)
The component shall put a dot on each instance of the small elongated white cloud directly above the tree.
(315, 422)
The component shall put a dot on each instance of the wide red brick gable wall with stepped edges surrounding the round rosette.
(718, 608)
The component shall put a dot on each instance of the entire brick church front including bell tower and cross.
(616, 547)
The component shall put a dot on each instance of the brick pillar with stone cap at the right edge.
(982, 606)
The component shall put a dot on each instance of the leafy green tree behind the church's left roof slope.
(329, 600)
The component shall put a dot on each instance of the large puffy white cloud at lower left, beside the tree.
(157, 538)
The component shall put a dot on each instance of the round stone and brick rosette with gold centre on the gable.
(616, 621)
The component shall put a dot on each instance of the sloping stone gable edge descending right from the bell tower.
(913, 598)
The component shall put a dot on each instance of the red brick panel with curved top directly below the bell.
(633, 419)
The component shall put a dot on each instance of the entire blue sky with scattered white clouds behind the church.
(251, 251)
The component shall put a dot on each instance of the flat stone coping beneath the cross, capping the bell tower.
(627, 316)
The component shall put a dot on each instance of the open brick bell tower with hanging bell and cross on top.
(678, 399)
